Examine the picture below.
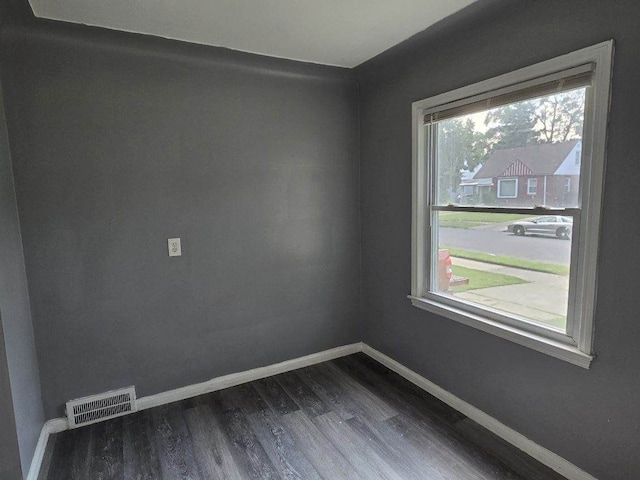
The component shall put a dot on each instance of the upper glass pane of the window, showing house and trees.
(486, 158)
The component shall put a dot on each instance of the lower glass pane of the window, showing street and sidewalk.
(515, 264)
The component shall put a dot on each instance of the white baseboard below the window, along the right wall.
(544, 456)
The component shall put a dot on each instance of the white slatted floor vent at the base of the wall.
(96, 408)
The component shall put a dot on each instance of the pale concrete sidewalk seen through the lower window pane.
(544, 299)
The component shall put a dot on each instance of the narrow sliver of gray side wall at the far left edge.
(18, 348)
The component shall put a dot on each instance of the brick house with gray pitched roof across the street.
(544, 174)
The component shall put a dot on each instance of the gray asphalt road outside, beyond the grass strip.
(497, 242)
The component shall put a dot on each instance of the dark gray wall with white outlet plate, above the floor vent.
(122, 141)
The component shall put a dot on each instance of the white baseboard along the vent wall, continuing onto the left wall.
(60, 424)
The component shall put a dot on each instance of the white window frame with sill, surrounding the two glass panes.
(576, 346)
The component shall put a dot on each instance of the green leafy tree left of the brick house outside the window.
(460, 147)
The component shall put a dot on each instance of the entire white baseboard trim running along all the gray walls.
(536, 451)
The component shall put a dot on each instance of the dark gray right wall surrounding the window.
(590, 417)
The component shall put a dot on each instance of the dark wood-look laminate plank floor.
(349, 419)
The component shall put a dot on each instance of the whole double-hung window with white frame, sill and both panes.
(520, 267)
